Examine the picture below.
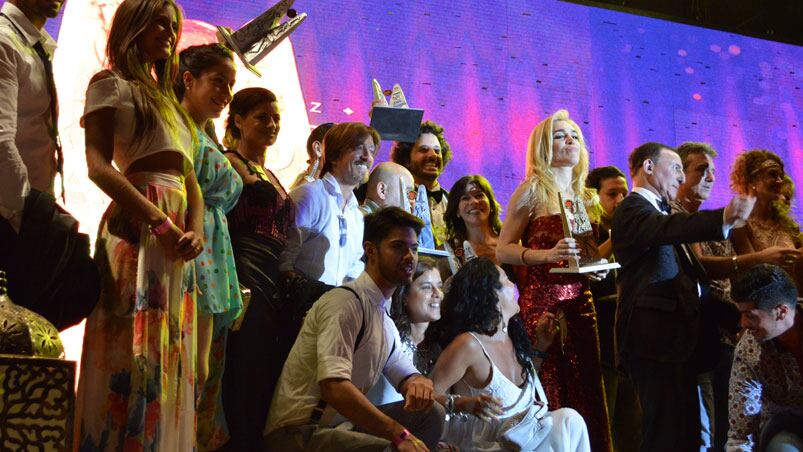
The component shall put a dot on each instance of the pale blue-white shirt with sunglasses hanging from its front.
(314, 244)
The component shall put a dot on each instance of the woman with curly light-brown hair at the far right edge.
(760, 173)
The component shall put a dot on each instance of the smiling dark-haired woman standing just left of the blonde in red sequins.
(472, 215)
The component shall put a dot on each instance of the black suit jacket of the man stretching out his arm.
(657, 314)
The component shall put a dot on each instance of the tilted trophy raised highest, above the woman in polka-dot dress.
(258, 37)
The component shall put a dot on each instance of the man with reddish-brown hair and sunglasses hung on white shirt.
(326, 243)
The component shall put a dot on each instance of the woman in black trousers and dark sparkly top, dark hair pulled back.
(258, 225)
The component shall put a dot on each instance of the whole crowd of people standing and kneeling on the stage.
(235, 315)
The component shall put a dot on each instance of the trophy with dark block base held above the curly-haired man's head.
(395, 121)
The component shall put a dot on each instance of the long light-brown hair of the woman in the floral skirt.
(157, 101)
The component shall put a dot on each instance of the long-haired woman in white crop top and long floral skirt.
(137, 388)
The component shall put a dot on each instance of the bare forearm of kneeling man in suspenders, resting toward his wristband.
(344, 397)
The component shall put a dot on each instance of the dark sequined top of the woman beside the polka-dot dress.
(263, 209)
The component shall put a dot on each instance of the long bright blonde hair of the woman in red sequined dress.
(542, 188)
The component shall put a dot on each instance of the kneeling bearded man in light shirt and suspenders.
(346, 342)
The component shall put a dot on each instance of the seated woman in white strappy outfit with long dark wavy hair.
(497, 402)
